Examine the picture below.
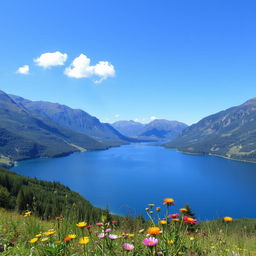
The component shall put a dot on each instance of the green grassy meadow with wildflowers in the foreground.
(177, 238)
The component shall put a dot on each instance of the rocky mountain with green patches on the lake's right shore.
(230, 133)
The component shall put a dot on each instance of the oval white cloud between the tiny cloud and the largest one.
(50, 59)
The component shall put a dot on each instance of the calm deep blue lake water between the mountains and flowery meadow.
(125, 179)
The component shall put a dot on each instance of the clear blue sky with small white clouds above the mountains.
(131, 59)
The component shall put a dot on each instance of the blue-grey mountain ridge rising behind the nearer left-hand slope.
(74, 119)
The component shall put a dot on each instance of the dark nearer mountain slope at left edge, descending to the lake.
(24, 135)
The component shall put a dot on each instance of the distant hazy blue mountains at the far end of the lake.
(159, 129)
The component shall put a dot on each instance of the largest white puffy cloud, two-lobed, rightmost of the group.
(81, 68)
